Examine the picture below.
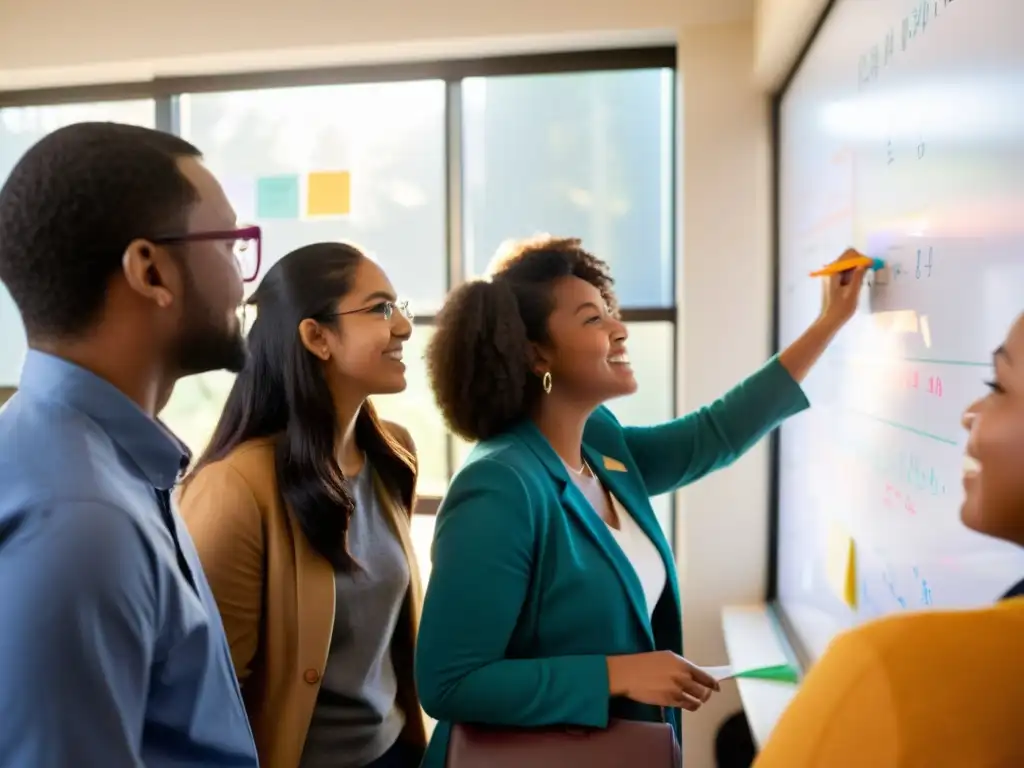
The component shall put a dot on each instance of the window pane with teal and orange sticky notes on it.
(282, 156)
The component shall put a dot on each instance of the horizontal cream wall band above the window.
(112, 40)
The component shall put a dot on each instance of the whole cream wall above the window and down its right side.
(724, 227)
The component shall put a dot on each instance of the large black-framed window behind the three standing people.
(432, 176)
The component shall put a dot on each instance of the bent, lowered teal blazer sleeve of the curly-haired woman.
(483, 561)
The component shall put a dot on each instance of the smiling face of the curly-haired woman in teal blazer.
(586, 356)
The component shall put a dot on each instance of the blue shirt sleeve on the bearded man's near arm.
(79, 611)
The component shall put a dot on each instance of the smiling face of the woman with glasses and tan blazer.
(363, 349)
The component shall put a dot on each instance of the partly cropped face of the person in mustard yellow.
(994, 472)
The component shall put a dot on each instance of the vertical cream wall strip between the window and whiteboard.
(724, 335)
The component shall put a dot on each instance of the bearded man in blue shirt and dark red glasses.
(119, 250)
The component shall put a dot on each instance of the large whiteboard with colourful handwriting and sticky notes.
(903, 135)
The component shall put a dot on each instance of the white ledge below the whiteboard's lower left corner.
(753, 639)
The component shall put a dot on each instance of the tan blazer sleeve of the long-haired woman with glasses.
(225, 522)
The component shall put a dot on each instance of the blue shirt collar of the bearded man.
(160, 457)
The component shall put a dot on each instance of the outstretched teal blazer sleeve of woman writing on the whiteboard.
(682, 451)
